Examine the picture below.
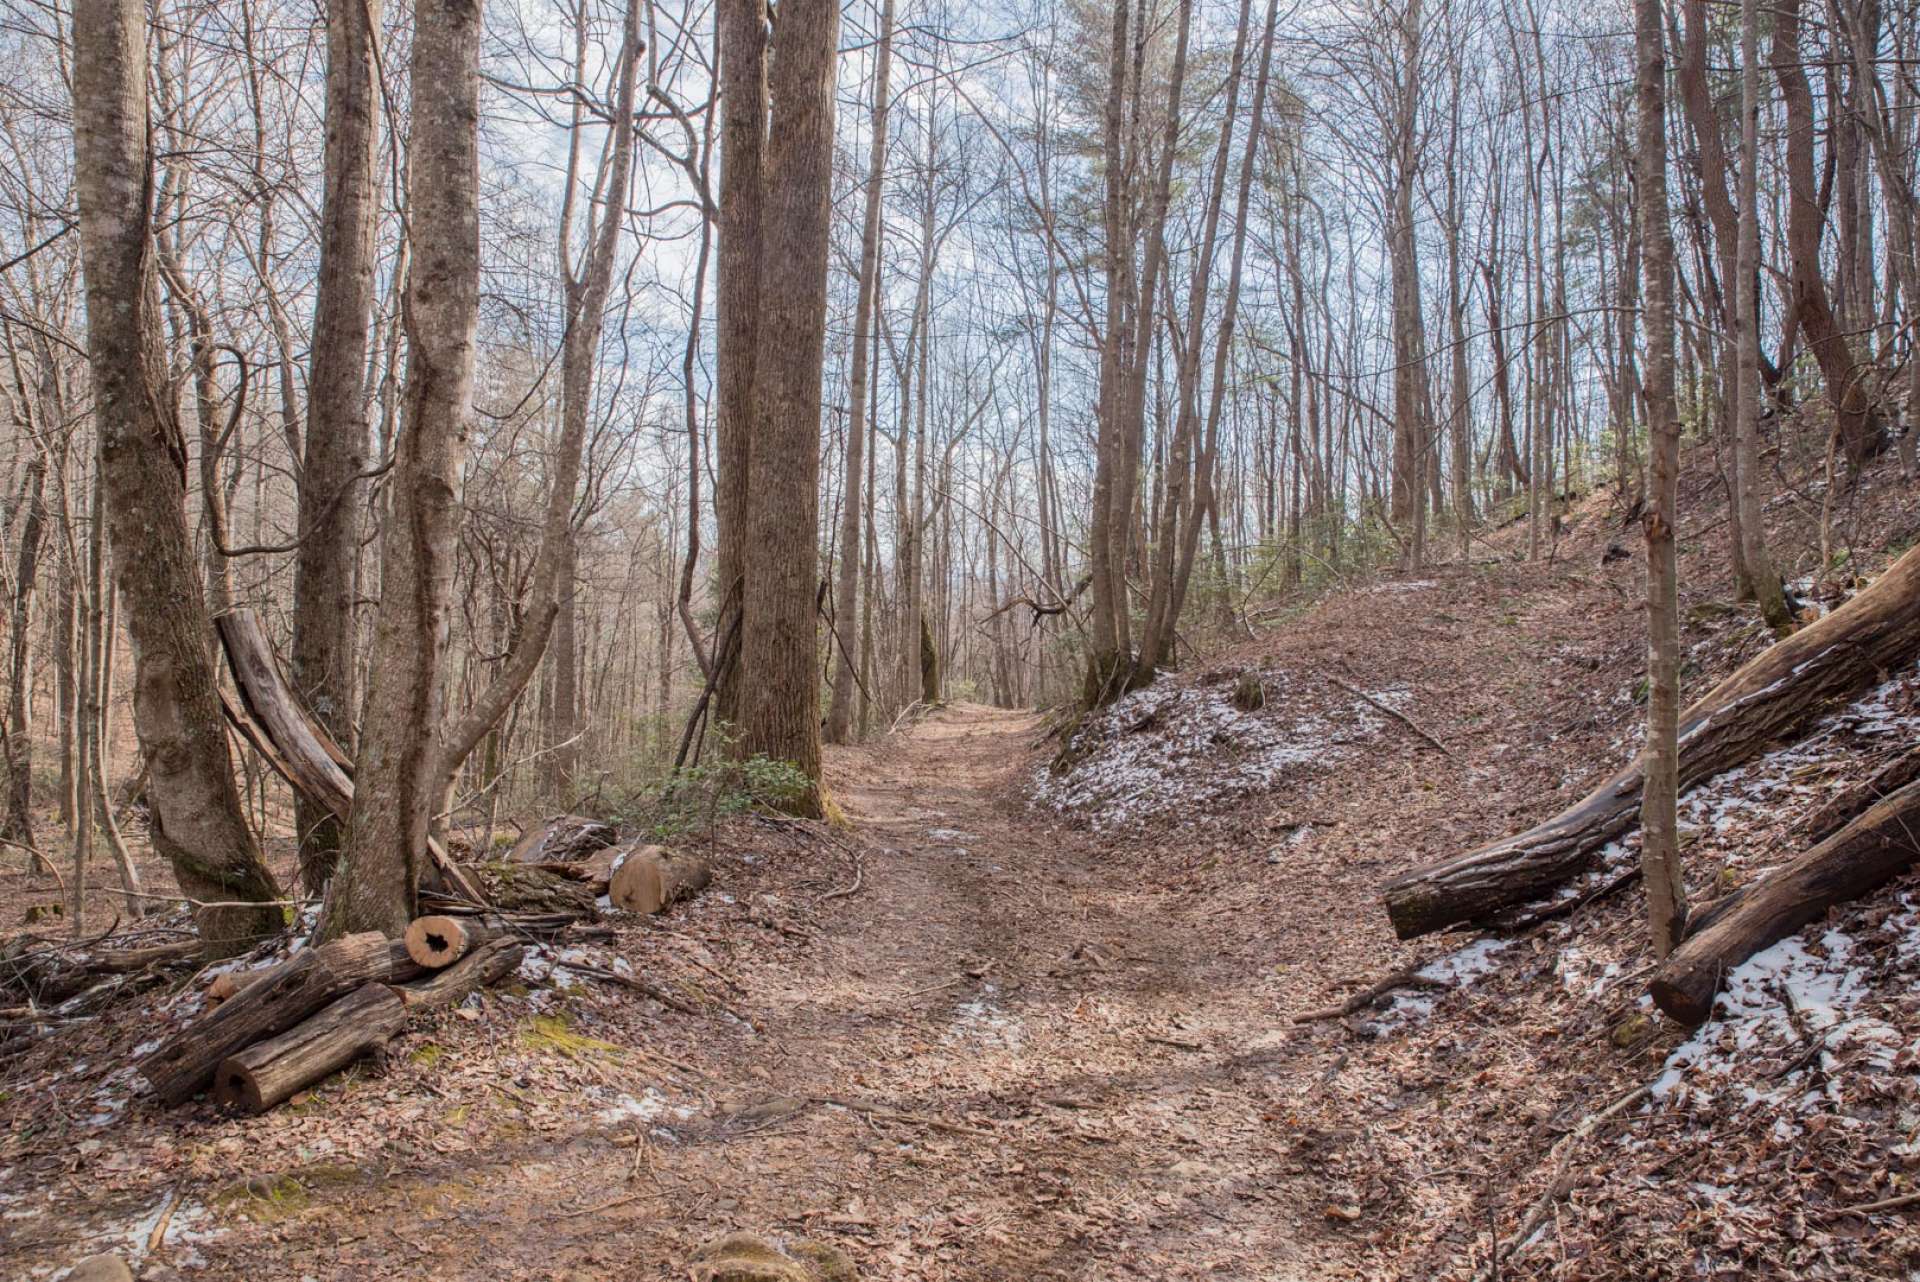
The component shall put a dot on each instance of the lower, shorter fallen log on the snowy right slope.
(1863, 855)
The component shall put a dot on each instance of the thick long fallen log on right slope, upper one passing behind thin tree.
(1765, 701)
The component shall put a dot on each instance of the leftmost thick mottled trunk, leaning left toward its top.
(197, 811)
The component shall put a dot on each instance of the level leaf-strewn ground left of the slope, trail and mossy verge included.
(997, 1053)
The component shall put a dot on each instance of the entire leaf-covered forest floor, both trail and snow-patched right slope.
(1024, 1022)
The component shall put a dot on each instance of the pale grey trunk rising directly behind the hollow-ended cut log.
(398, 786)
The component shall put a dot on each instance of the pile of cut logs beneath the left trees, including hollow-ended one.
(281, 1030)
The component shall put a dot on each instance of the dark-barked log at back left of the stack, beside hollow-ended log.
(281, 999)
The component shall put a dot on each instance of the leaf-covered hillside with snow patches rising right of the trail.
(1522, 1089)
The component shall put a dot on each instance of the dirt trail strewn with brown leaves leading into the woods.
(1044, 1068)
